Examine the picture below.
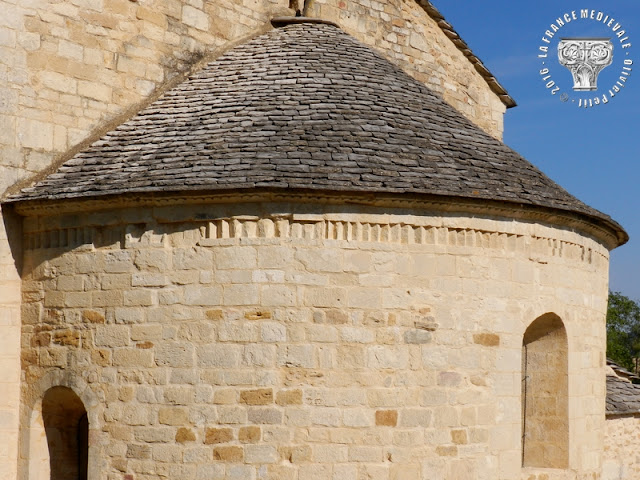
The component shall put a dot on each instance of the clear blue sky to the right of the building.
(594, 153)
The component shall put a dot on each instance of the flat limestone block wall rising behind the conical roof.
(70, 70)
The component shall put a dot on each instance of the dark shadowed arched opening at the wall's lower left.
(67, 429)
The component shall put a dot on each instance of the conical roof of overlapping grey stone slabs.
(305, 106)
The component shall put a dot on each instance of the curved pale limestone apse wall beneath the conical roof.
(299, 341)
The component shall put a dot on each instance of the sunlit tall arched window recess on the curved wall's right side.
(545, 394)
